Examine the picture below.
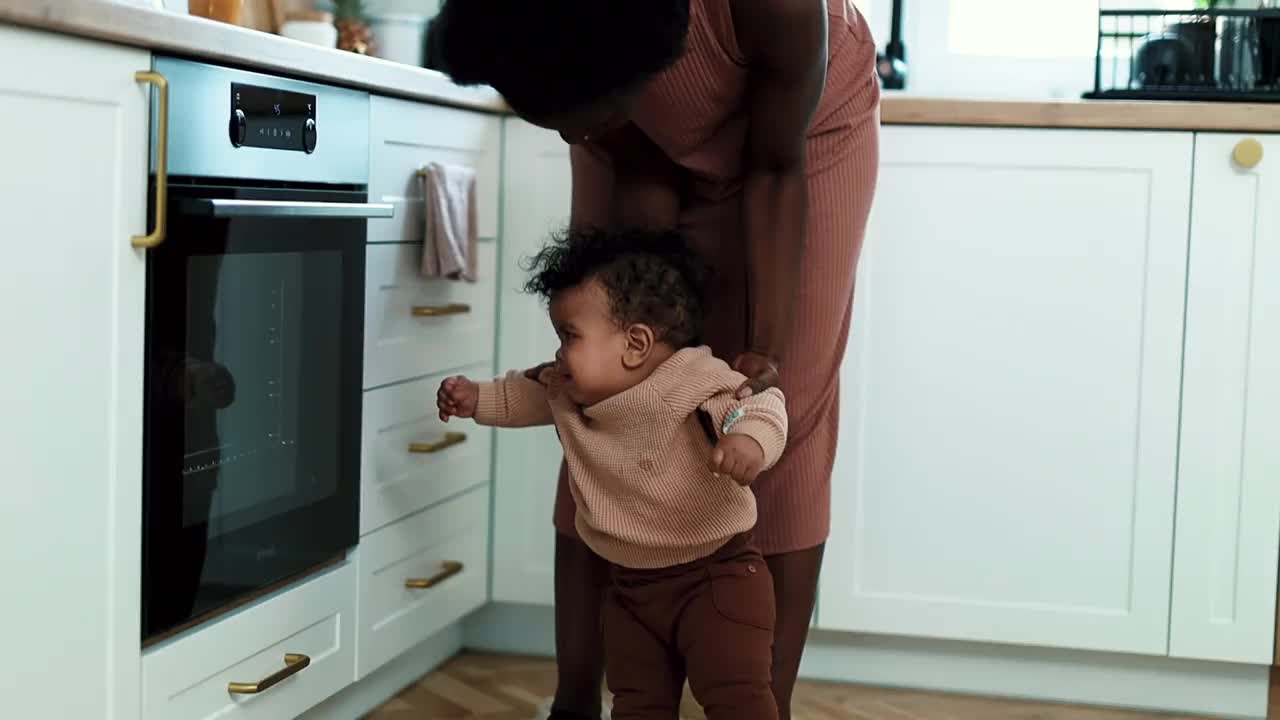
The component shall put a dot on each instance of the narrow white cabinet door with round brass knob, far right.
(1229, 467)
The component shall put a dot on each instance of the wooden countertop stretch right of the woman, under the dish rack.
(1098, 115)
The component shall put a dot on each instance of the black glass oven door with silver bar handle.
(255, 325)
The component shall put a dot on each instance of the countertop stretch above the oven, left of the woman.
(221, 43)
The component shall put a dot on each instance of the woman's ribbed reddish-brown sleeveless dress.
(696, 112)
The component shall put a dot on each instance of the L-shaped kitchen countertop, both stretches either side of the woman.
(220, 43)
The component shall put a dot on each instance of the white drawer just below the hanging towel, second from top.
(417, 326)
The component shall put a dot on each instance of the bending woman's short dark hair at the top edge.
(557, 57)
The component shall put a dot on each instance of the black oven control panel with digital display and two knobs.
(277, 120)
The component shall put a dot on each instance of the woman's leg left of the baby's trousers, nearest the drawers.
(582, 578)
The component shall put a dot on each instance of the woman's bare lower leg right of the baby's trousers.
(796, 589)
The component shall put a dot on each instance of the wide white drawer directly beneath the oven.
(190, 680)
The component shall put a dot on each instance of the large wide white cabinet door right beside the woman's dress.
(1009, 436)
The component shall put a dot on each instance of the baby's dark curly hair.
(651, 277)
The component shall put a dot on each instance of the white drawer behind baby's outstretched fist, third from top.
(410, 458)
